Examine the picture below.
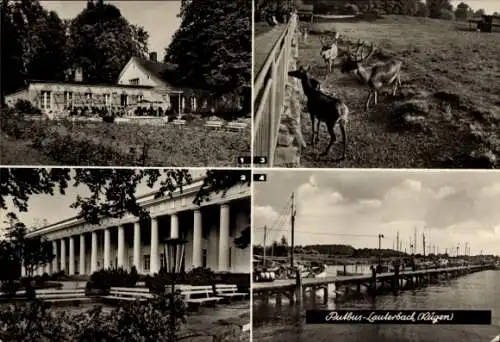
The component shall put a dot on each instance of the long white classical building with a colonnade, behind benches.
(209, 229)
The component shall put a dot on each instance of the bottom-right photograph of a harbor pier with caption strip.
(372, 255)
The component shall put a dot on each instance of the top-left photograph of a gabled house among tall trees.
(126, 83)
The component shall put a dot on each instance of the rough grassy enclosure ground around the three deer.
(453, 73)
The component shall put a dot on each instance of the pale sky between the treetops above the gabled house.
(159, 18)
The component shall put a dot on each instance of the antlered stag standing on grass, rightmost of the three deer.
(377, 76)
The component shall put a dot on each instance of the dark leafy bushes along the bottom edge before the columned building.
(149, 321)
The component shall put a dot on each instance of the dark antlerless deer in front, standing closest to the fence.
(323, 107)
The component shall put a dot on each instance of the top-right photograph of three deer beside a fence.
(377, 84)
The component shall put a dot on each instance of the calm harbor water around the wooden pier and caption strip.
(477, 291)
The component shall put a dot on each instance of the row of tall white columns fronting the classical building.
(223, 256)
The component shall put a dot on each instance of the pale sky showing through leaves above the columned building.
(57, 207)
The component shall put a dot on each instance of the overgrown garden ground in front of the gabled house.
(104, 144)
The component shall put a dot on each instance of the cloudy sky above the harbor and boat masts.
(353, 207)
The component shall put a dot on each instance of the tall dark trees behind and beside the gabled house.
(211, 49)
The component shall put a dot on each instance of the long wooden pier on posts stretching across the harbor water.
(297, 289)
